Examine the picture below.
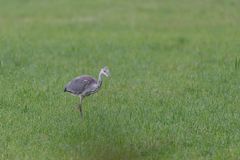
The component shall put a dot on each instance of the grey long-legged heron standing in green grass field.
(86, 85)
